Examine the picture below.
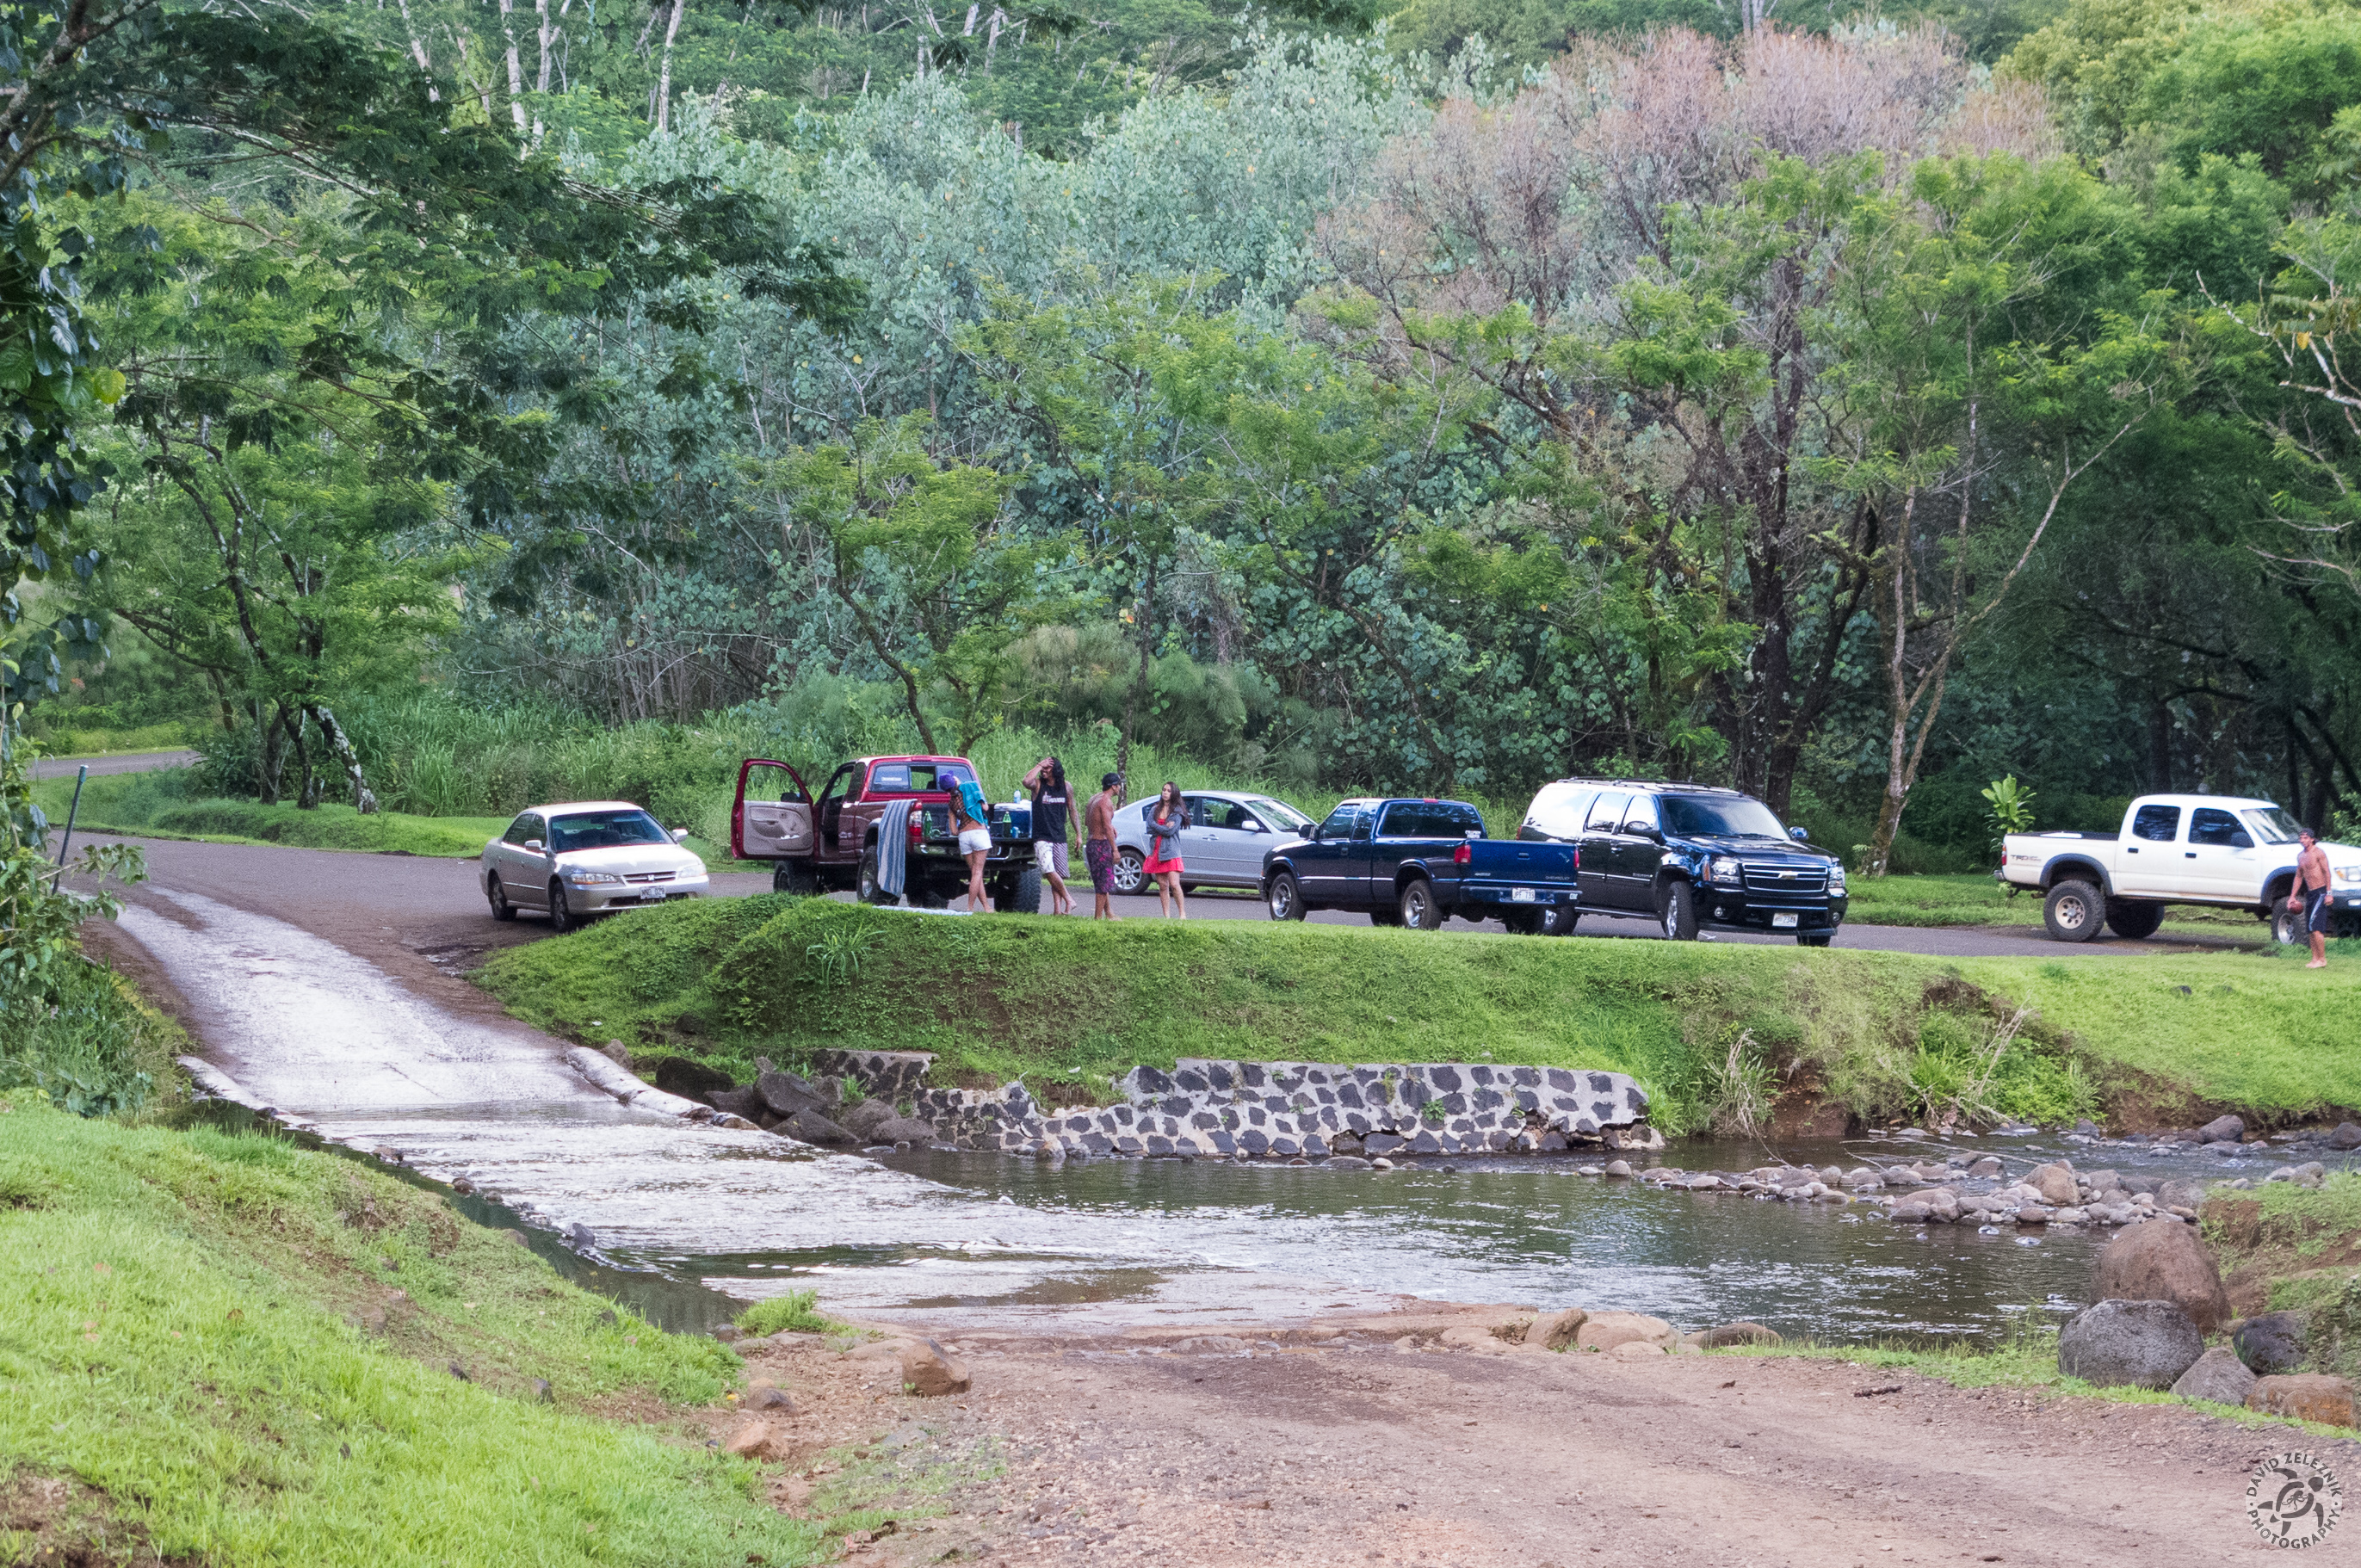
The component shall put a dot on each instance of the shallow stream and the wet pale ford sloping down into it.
(679, 1213)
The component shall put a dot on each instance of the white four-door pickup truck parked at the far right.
(2221, 851)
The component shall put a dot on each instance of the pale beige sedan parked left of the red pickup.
(587, 858)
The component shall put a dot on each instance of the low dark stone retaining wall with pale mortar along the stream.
(1276, 1109)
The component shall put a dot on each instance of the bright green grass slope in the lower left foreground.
(209, 1361)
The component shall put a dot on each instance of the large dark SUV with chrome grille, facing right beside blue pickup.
(1689, 858)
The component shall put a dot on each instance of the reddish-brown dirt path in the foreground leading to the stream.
(1354, 1451)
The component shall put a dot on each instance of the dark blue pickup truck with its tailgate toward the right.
(1418, 863)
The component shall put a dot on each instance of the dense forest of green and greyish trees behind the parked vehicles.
(1852, 410)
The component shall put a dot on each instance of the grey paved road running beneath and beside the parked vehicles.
(431, 915)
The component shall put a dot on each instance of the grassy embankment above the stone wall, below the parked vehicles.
(1711, 1031)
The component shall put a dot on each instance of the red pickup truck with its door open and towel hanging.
(832, 844)
